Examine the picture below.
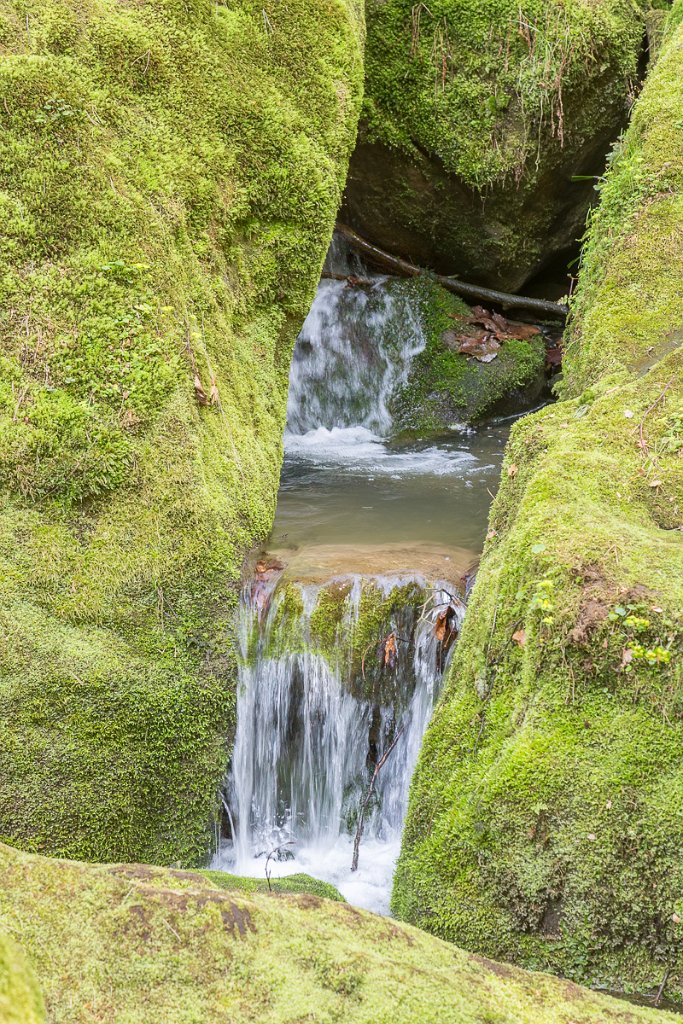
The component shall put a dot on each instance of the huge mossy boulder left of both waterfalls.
(169, 177)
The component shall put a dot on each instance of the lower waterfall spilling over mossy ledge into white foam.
(310, 736)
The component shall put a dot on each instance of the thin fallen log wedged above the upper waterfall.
(394, 265)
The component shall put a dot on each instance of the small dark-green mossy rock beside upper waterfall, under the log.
(446, 388)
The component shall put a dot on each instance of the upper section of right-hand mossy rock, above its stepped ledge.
(628, 314)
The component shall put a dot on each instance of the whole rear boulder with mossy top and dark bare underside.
(478, 115)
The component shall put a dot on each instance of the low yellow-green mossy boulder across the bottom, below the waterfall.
(127, 945)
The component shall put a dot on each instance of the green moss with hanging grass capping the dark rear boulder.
(487, 110)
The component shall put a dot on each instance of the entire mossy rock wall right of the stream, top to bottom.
(545, 824)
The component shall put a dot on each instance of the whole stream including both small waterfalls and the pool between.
(372, 540)
